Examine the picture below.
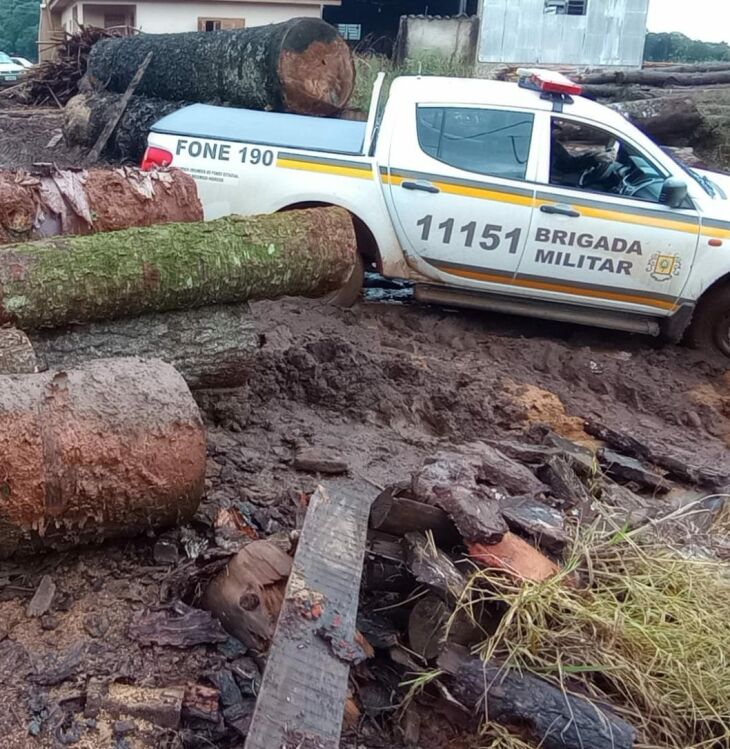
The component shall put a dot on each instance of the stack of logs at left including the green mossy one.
(95, 449)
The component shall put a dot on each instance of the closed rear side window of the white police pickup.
(486, 141)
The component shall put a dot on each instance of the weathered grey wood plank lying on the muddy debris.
(304, 688)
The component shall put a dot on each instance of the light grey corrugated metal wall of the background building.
(519, 31)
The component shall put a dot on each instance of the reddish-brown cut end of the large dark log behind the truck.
(316, 79)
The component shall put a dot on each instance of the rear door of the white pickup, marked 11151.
(459, 192)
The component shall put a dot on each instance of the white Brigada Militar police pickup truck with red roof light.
(517, 197)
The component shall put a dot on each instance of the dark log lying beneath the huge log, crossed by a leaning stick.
(86, 114)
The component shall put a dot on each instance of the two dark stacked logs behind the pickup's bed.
(301, 66)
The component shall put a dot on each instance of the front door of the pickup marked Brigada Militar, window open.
(600, 235)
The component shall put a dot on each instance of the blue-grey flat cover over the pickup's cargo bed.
(265, 128)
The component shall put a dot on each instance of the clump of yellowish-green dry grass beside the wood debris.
(648, 632)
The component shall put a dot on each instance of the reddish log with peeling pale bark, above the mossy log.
(98, 200)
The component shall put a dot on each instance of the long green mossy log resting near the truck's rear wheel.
(127, 273)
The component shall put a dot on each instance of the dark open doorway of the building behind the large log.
(372, 25)
